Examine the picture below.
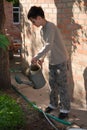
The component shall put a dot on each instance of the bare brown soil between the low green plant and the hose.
(34, 120)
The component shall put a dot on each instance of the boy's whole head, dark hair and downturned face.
(36, 15)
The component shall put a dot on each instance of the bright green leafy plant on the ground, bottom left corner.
(11, 114)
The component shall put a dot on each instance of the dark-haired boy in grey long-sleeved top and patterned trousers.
(57, 55)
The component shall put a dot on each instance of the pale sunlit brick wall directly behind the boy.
(71, 17)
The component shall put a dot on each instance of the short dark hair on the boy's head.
(35, 11)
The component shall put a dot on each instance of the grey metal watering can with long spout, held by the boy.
(35, 76)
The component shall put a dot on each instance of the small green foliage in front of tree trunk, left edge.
(4, 41)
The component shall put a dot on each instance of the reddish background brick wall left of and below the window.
(14, 31)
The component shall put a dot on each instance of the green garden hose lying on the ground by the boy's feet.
(36, 107)
